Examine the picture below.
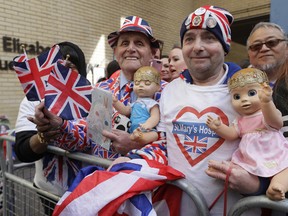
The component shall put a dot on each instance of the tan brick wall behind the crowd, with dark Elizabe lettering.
(87, 23)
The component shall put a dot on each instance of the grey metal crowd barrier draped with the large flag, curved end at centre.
(11, 197)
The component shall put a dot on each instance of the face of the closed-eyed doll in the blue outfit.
(145, 88)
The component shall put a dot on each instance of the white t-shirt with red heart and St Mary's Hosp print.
(190, 143)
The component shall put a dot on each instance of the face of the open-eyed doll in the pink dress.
(245, 99)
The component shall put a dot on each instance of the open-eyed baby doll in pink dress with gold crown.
(263, 150)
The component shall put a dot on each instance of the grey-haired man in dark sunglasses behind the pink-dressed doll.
(268, 51)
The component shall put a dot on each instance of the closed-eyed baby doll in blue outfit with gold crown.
(144, 112)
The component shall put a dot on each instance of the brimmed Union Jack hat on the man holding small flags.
(133, 24)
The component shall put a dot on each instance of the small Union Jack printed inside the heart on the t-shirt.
(195, 144)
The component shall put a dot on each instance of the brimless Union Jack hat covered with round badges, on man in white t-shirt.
(214, 19)
